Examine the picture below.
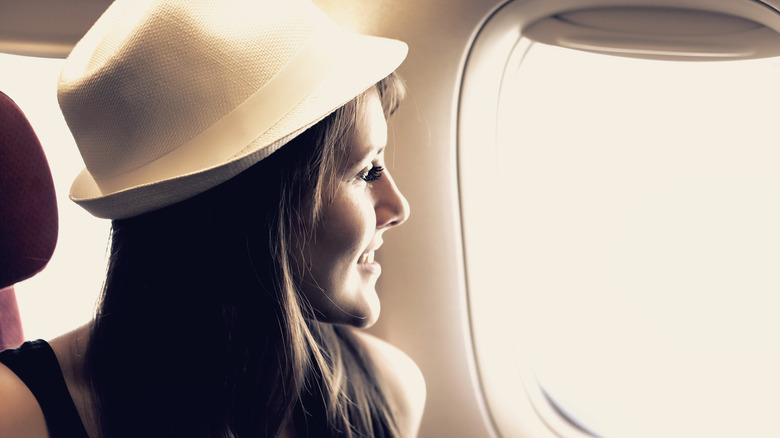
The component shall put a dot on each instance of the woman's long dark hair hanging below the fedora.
(201, 330)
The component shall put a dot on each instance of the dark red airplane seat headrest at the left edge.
(28, 214)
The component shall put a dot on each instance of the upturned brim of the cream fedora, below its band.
(365, 62)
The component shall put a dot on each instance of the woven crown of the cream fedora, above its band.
(153, 74)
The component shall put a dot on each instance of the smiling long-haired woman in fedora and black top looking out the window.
(238, 148)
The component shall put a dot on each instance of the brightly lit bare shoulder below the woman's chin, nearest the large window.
(404, 379)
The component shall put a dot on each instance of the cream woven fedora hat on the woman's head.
(168, 98)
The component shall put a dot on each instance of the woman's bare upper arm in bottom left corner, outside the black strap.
(20, 414)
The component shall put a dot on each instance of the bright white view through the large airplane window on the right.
(643, 205)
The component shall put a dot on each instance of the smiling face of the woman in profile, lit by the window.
(341, 280)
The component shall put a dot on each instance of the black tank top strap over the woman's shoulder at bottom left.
(37, 366)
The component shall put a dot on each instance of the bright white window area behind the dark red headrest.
(63, 295)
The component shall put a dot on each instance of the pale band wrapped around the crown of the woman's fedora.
(231, 134)
